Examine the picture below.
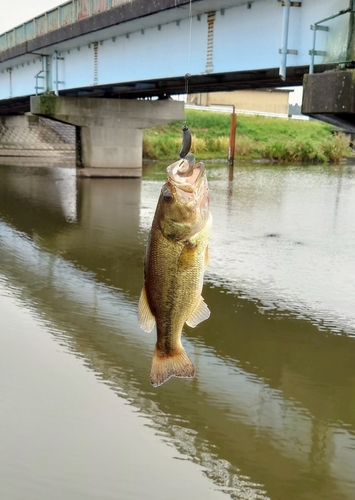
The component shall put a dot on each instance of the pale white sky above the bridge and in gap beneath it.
(24, 10)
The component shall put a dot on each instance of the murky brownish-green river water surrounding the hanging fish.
(271, 412)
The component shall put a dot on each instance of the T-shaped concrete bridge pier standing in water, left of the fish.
(111, 130)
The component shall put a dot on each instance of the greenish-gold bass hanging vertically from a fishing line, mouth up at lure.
(174, 265)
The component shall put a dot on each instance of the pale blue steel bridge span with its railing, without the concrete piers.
(141, 48)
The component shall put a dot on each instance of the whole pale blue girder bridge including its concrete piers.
(109, 66)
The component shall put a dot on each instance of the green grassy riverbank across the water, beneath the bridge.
(257, 138)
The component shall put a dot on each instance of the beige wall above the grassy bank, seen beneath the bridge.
(266, 100)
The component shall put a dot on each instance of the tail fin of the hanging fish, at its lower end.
(174, 364)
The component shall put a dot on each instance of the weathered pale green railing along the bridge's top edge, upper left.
(59, 17)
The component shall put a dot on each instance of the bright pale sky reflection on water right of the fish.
(277, 241)
